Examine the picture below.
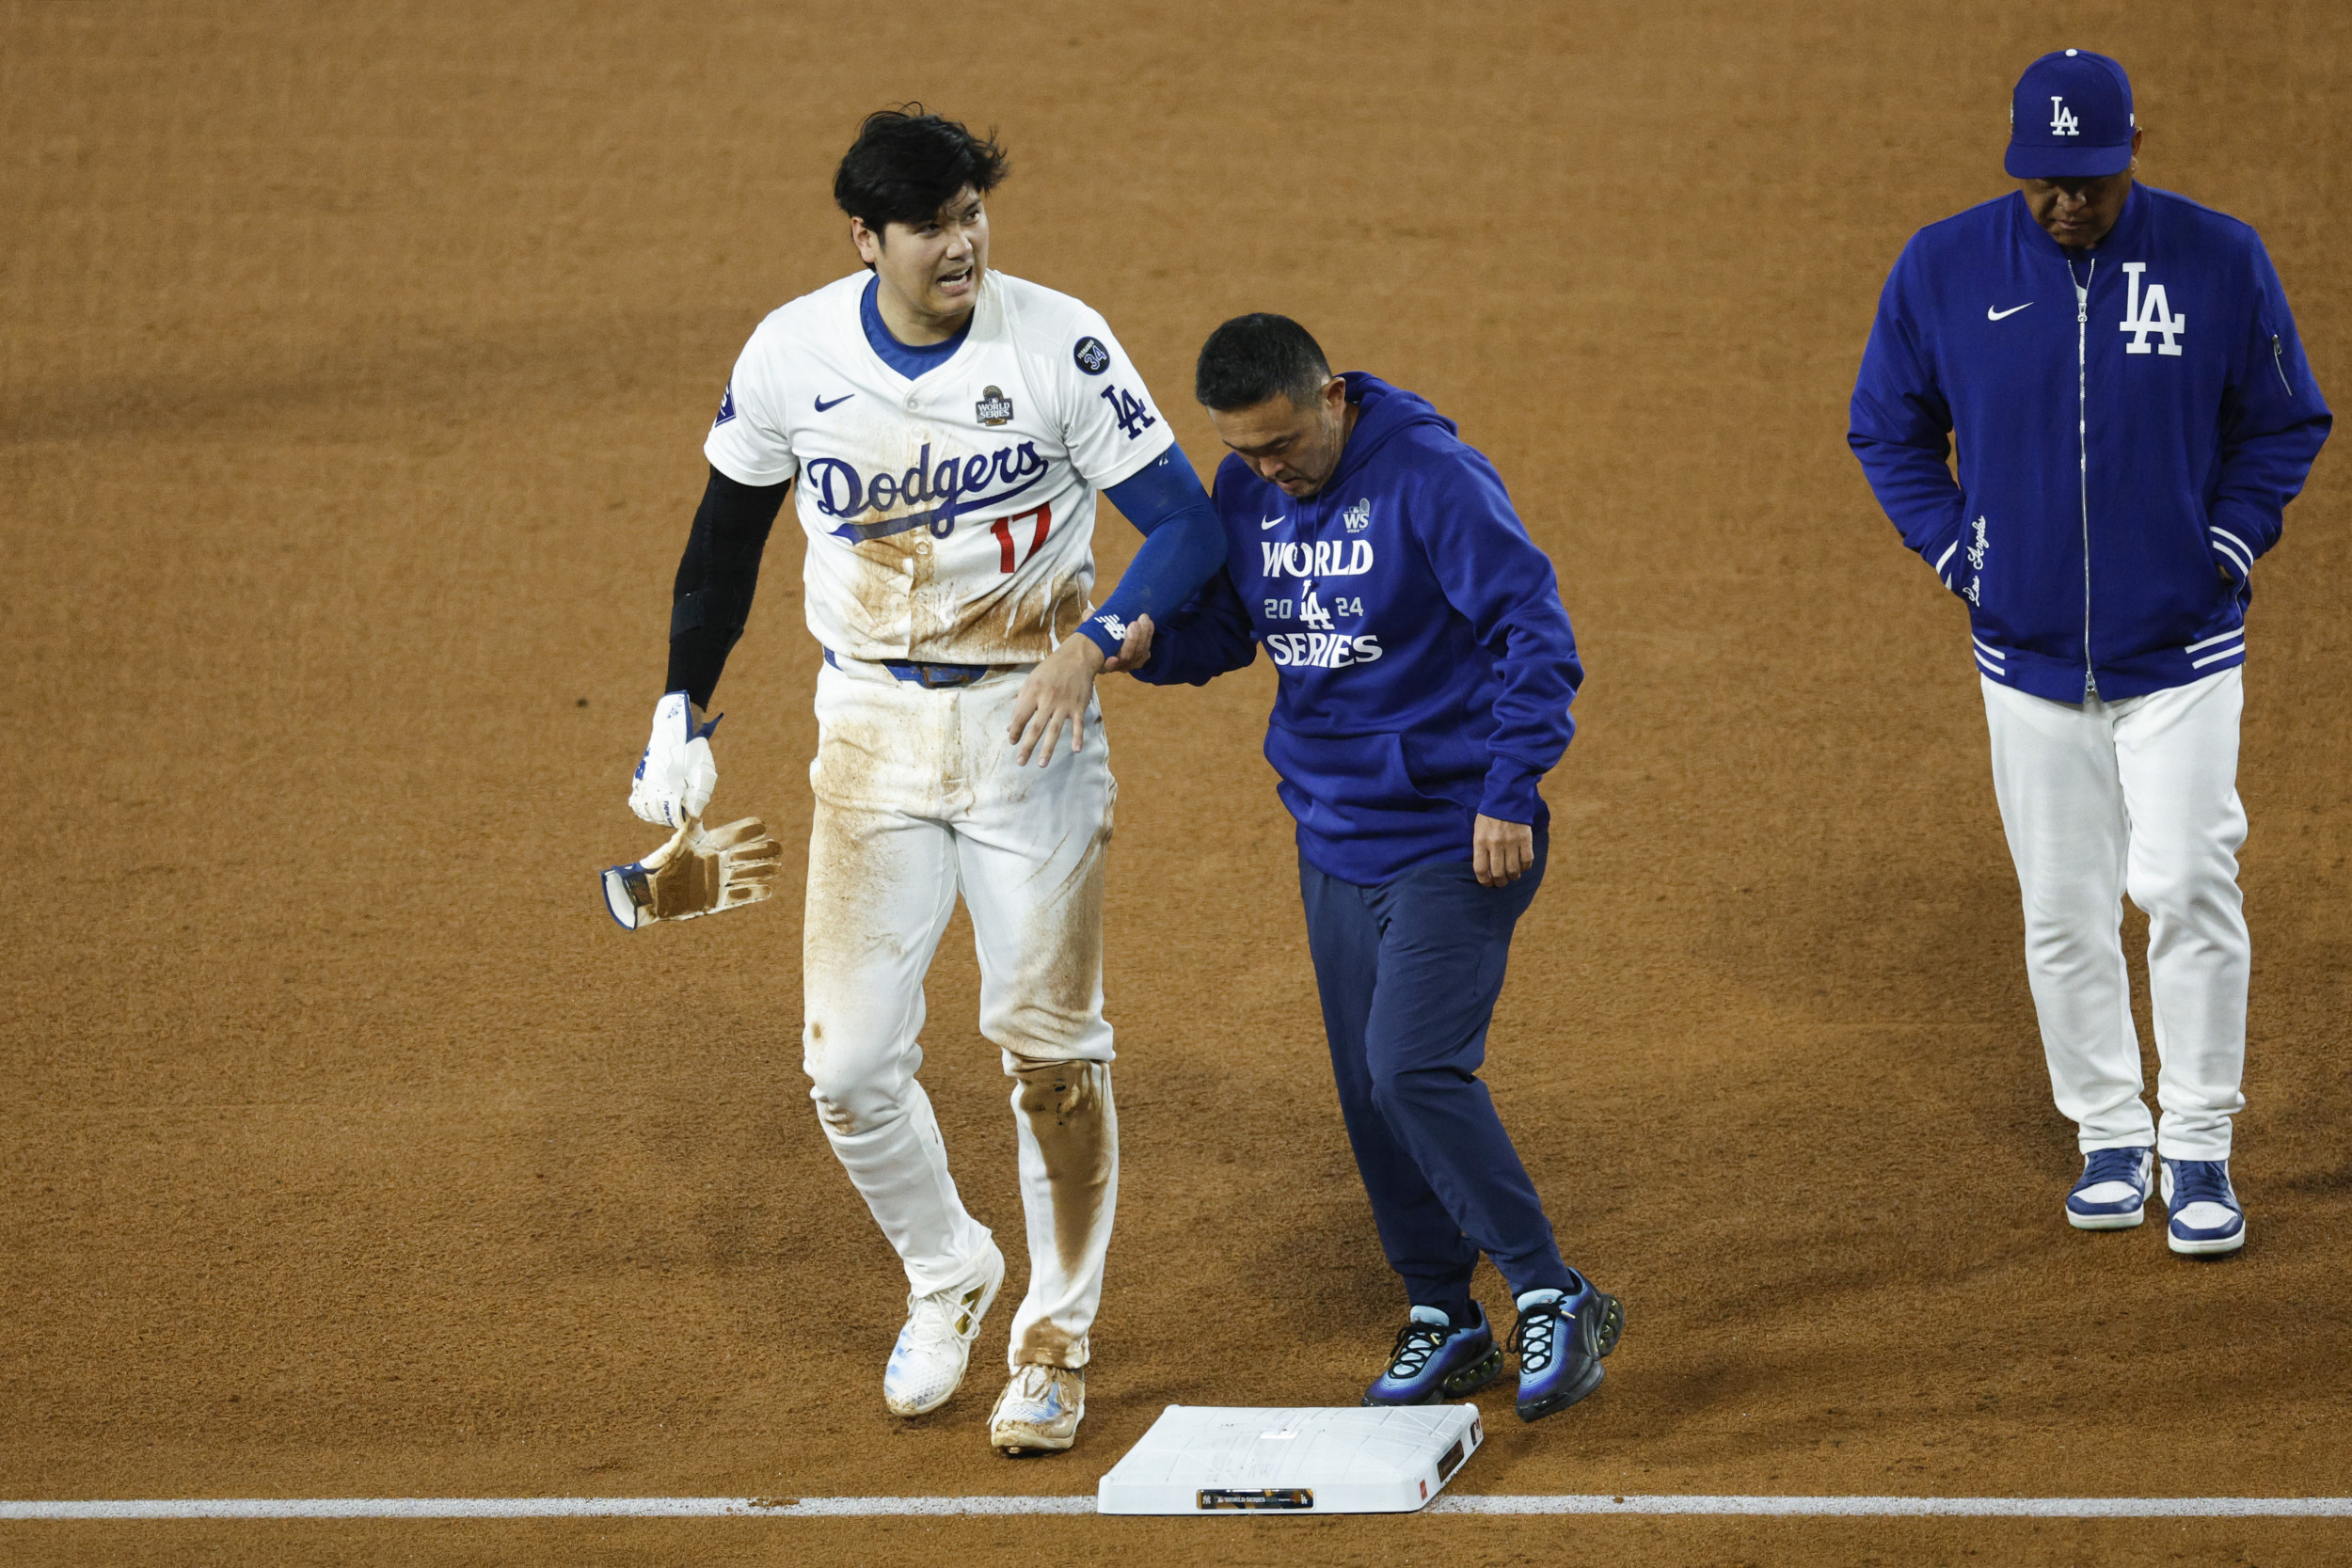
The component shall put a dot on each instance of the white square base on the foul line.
(1339, 1461)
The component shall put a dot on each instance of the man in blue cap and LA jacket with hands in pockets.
(2134, 415)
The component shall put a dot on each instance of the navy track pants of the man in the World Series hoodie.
(1410, 974)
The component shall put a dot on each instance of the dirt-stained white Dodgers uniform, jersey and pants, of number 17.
(949, 507)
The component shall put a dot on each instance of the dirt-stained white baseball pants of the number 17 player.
(921, 798)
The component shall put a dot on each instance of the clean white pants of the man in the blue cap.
(2132, 798)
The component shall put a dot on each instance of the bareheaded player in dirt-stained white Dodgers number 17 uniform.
(947, 431)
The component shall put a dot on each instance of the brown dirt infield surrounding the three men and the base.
(354, 366)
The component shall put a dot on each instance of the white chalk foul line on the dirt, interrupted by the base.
(876, 1508)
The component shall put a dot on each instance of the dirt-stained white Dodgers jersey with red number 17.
(949, 518)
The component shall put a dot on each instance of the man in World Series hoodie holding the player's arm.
(1426, 678)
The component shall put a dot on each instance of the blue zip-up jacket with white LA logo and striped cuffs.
(2132, 427)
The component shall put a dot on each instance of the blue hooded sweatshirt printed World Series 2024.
(1424, 655)
